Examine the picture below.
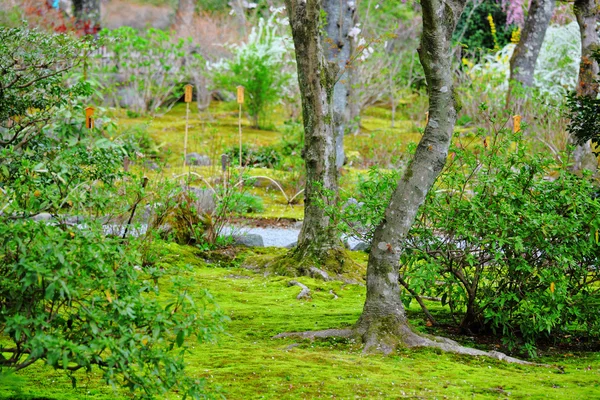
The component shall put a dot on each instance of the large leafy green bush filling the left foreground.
(71, 295)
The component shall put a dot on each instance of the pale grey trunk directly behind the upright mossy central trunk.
(340, 19)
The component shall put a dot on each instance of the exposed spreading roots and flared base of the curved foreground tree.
(377, 339)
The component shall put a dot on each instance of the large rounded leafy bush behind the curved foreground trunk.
(508, 239)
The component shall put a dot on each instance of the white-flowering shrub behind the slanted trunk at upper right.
(556, 69)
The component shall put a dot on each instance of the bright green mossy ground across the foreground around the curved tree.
(247, 363)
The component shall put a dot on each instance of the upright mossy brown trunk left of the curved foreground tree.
(316, 78)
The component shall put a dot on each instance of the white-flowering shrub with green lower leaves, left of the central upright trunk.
(263, 65)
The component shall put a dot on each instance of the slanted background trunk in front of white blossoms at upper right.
(522, 62)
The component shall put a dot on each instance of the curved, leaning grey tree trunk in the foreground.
(383, 324)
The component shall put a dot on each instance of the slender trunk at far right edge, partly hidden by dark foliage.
(586, 12)
